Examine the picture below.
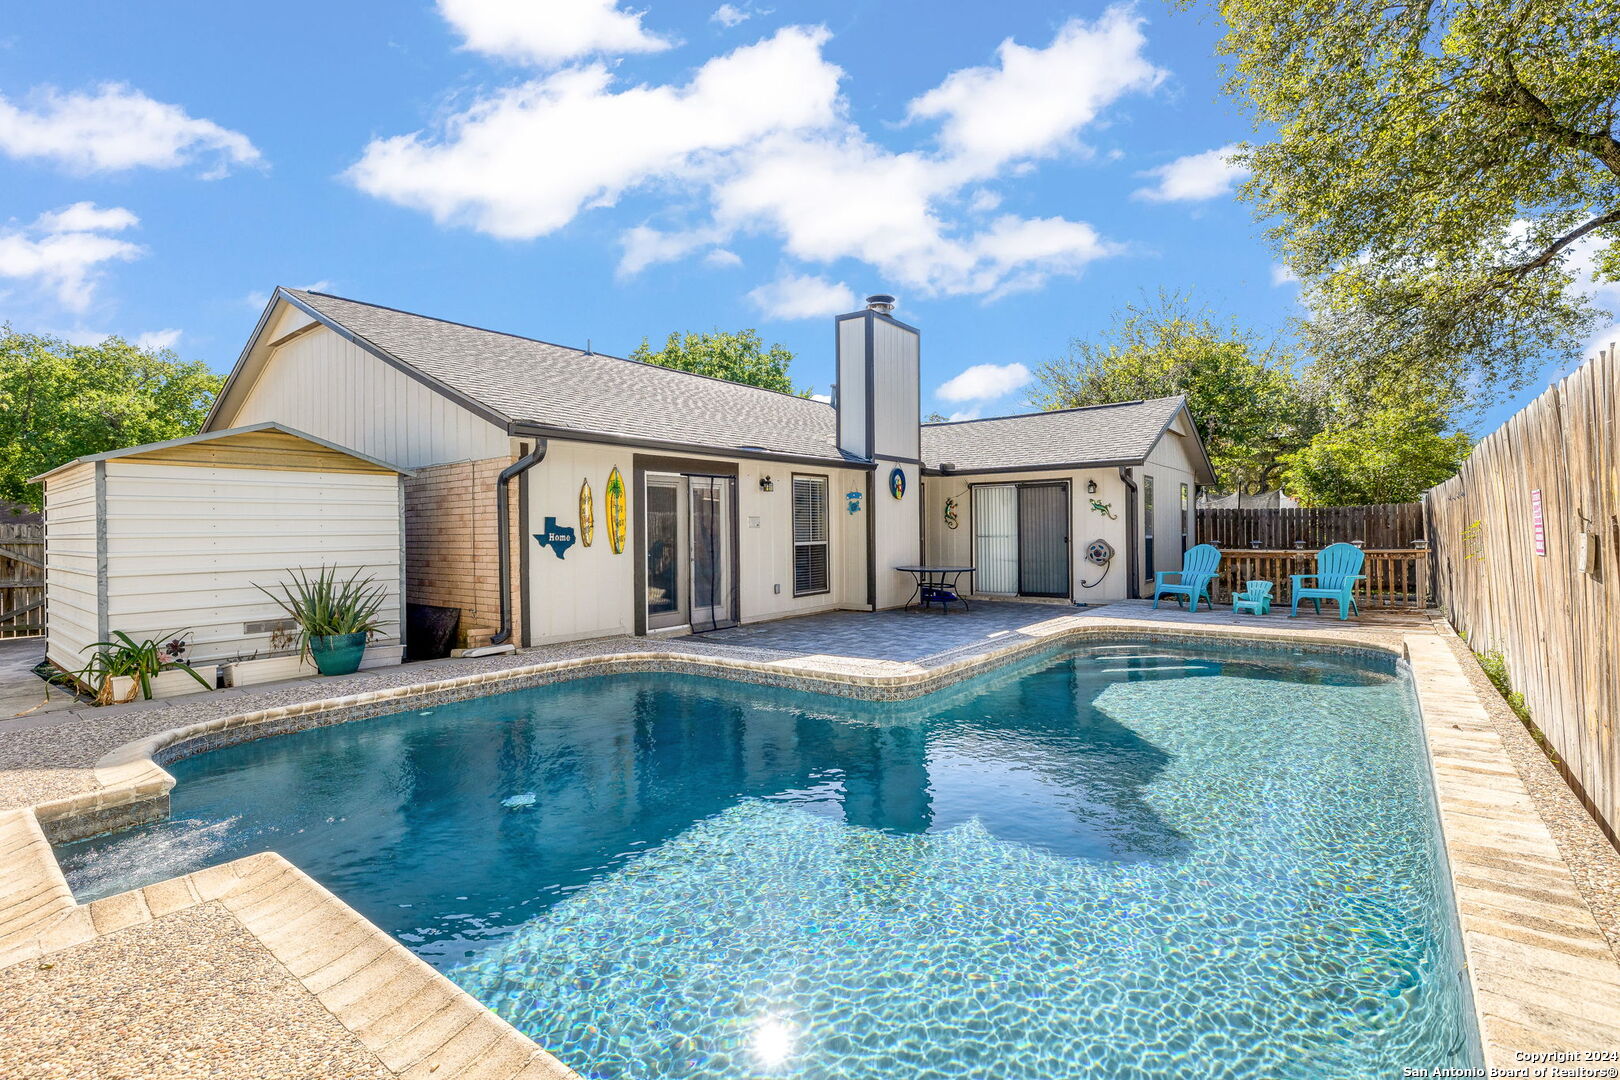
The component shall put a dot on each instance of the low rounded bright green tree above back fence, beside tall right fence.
(1388, 456)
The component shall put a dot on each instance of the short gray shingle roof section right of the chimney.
(1098, 435)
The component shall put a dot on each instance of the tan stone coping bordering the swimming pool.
(1541, 972)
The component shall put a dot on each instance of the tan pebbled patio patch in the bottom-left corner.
(147, 1003)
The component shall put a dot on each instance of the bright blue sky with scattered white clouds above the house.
(576, 171)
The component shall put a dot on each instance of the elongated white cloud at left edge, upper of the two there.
(117, 129)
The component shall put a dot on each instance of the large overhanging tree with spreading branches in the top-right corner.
(1435, 171)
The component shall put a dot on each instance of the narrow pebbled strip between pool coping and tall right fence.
(1592, 857)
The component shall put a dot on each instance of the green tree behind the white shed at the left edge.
(61, 401)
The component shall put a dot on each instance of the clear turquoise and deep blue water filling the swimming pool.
(1120, 862)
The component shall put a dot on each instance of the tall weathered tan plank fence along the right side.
(1528, 546)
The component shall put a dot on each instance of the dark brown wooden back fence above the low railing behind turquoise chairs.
(1384, 525)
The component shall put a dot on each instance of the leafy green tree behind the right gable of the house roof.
(1247, 399)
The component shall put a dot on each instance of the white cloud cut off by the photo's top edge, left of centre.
(550, 32)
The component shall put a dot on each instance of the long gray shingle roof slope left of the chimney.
(555, 386)
